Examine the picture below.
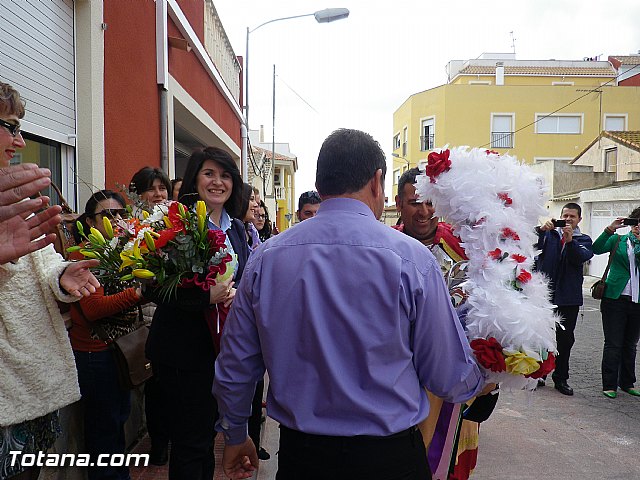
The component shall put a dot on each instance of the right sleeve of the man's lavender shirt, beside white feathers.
(442, 356)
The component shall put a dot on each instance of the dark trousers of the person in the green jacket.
(621, 325)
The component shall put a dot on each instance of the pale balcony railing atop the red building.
(219, 49)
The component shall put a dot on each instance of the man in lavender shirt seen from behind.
(350, 319)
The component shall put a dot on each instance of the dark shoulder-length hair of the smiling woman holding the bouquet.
(189, 189)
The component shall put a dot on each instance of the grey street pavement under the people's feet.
(546, 434)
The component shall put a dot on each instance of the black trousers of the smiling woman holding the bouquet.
(192, 412)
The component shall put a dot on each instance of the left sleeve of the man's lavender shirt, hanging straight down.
(239, 365)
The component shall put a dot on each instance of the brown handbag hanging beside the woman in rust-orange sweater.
(127, 343)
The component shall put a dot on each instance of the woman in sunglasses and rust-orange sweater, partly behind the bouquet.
(96, 321)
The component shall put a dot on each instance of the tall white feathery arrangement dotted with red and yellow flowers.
(493, 203)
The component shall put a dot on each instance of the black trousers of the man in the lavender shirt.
(318, 457)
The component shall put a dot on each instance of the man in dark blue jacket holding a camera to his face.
(564, 249)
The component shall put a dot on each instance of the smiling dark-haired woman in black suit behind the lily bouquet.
(182, 342)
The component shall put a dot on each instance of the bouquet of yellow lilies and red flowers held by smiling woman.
(170, 245)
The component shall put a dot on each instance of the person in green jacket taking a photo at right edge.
(620, 306)
